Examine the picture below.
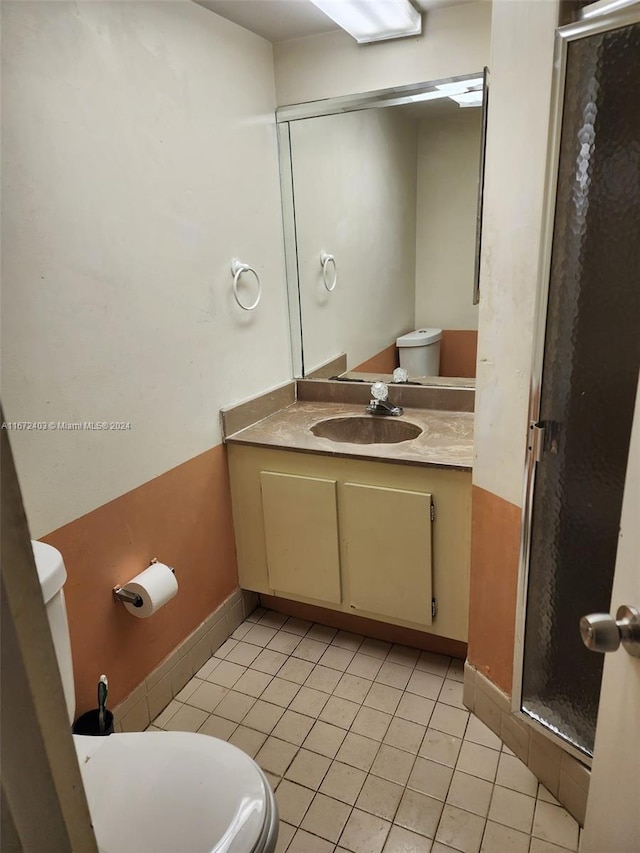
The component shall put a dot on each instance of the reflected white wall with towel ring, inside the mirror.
(354, 177)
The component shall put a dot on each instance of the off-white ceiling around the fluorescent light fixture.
(280, 20)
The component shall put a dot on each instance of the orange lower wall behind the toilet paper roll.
(182, 517)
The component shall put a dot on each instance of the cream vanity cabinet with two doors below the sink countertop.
(383, 540)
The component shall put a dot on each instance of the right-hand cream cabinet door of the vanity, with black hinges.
(386, 551)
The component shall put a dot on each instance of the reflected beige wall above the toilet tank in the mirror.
(447, 197)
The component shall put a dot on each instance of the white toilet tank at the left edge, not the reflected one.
(52, 576)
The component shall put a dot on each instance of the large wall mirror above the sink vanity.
(380, 200)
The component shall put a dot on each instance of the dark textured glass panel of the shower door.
(591, 360)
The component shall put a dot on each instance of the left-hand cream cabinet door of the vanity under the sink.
(301, 535)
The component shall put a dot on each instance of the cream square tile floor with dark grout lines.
(367, 745)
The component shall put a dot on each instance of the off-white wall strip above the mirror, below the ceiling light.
(455, 41)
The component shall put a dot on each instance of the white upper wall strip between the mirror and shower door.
(519, 106)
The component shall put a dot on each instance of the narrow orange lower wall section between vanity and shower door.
(495, 543)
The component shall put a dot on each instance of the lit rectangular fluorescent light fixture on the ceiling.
(373, 20)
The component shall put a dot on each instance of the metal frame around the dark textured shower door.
(564, 36)
